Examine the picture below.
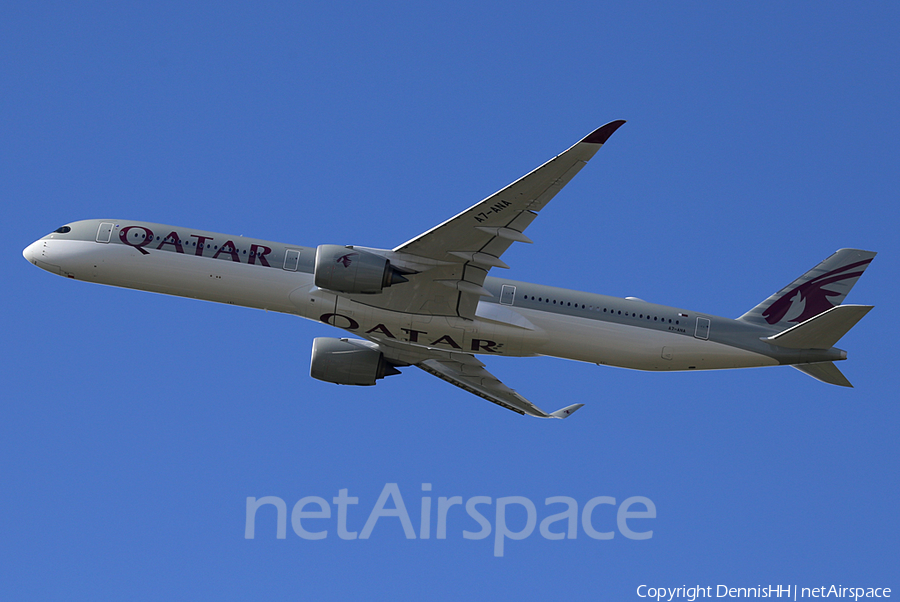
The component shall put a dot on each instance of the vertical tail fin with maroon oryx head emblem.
(818, 290)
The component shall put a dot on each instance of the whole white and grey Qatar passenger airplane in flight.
(430, 303)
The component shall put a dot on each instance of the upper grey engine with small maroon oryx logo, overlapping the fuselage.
(348, 270)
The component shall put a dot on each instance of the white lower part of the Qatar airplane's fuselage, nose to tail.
(515, 329)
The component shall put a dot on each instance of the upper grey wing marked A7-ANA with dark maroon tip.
(451, 261)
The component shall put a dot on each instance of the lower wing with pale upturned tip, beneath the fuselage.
(468, 373)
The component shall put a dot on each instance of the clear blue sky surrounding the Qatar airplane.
(134, 426)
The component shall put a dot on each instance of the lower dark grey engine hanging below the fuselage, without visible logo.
(348, 362)
